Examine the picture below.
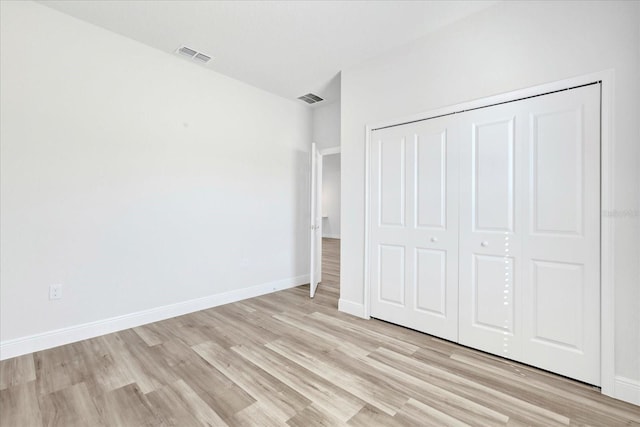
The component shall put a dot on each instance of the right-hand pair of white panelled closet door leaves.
(529, 231)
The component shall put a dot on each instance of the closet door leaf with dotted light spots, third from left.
(490, 231)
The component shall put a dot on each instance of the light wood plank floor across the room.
(283, 359)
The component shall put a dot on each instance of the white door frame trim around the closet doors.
(607, 232)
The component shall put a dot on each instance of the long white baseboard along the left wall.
(45, 340)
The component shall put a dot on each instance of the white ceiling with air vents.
(289, 48)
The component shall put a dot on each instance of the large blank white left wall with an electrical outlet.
(137, 179)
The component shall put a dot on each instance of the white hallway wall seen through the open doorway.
(331, 196)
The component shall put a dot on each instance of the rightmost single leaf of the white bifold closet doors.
(561, 240)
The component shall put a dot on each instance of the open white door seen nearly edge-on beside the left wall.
(315, 274)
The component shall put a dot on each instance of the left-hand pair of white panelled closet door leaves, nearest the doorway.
(414, 227)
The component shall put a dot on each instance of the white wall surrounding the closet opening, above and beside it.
(510, 46)
